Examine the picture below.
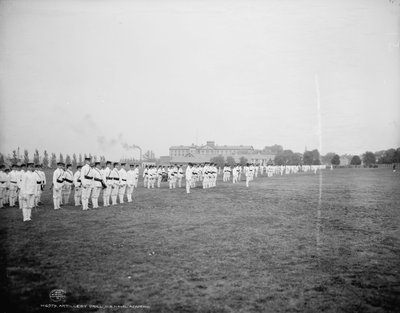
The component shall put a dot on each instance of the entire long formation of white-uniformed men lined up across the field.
(23, 184)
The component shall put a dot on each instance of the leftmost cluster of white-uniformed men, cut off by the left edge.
(22, 185)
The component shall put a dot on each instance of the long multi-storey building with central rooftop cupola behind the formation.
(204, 153)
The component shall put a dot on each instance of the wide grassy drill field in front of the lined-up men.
(298, 243)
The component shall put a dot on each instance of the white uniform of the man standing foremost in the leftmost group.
(28, 192)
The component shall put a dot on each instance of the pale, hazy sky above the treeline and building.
(100, 77)
